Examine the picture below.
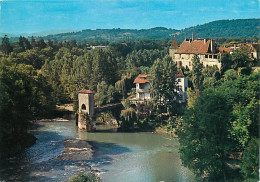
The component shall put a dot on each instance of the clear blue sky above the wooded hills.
(31, 16)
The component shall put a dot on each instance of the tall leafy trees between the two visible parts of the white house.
(162, 81)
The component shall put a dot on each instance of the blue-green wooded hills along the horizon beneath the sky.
(221, 28)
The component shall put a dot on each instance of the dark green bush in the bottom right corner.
(250, 160)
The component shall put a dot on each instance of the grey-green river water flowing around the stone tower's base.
(120, 157)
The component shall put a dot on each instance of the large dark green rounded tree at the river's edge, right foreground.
(204, 137)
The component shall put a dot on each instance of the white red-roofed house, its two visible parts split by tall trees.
(143, 87)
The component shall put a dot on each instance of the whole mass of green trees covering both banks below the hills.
(219, 124)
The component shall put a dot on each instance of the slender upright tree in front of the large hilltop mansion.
(196, 74)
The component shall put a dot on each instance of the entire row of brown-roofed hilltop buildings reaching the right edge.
(207, 51)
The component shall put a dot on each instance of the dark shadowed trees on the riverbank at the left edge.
(24, 95)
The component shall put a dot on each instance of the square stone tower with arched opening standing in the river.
(86, 110)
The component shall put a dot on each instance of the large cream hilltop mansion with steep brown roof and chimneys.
(206, 49)
